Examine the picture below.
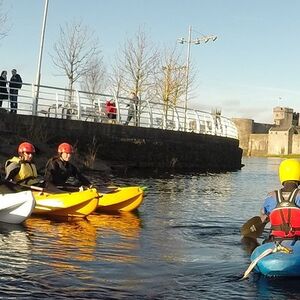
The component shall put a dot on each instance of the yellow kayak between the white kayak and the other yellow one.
(66, 204)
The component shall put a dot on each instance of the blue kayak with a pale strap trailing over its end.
(284, 260)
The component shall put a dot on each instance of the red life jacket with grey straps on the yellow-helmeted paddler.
(285, 218)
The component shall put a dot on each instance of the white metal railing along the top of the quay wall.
(62, 103)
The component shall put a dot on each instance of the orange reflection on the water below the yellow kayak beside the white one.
(66, 241)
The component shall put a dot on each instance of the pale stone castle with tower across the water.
(280, 138)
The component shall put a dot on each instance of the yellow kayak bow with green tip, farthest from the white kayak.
(121, 199)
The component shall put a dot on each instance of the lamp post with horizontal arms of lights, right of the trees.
(189, 41)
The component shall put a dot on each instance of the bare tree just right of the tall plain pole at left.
(74, 51)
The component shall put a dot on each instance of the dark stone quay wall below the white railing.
(130, 147)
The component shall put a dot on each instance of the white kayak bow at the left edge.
(16, 207)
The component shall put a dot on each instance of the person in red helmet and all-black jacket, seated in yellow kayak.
(60, 171)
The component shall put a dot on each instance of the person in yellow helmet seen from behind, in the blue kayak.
(282, 207)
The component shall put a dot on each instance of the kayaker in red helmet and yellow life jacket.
(22, 170)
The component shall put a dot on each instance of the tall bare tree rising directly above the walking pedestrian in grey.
(137, 63)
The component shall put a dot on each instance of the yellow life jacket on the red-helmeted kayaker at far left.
(27, 173)
